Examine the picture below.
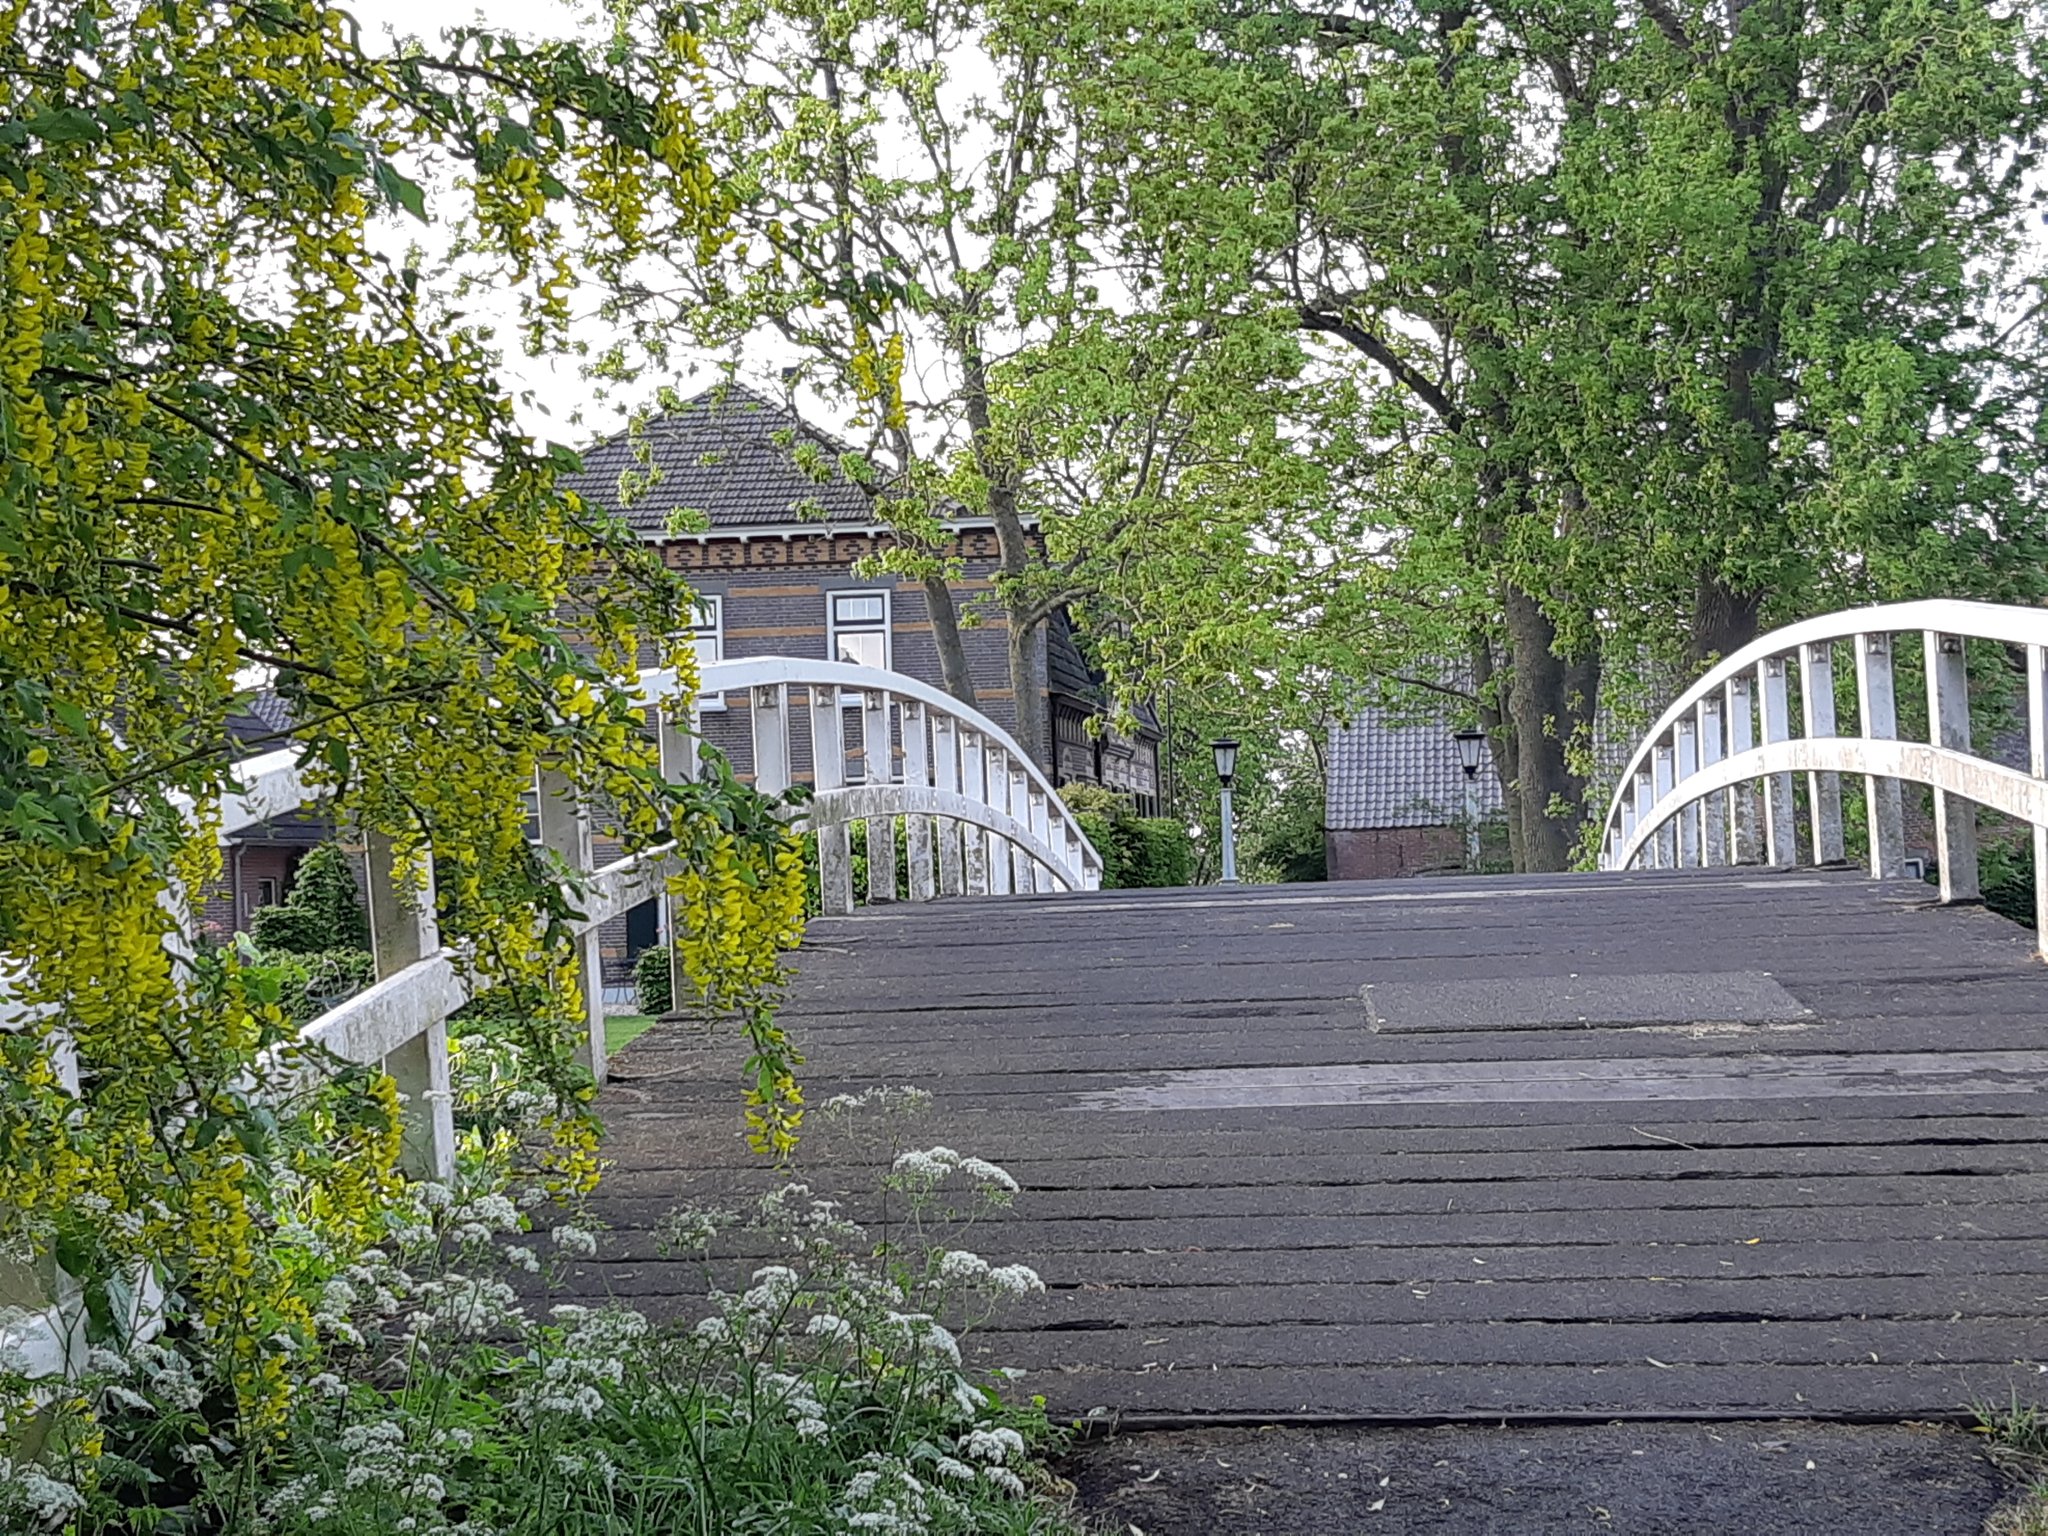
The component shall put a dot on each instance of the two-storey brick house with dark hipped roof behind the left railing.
(753, 505)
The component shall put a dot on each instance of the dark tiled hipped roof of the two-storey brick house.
(730, 456)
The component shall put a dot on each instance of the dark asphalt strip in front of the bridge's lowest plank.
(1625, 1480)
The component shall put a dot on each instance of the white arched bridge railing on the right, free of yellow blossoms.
(1713, 783)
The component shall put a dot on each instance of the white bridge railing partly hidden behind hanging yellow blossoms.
(976, 812)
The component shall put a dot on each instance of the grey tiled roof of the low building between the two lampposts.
(1400, 771)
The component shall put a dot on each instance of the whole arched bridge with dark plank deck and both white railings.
(1730, 1129)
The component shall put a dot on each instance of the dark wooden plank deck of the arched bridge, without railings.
(1668, 1146)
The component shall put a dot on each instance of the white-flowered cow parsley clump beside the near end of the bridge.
(814, 1392)
